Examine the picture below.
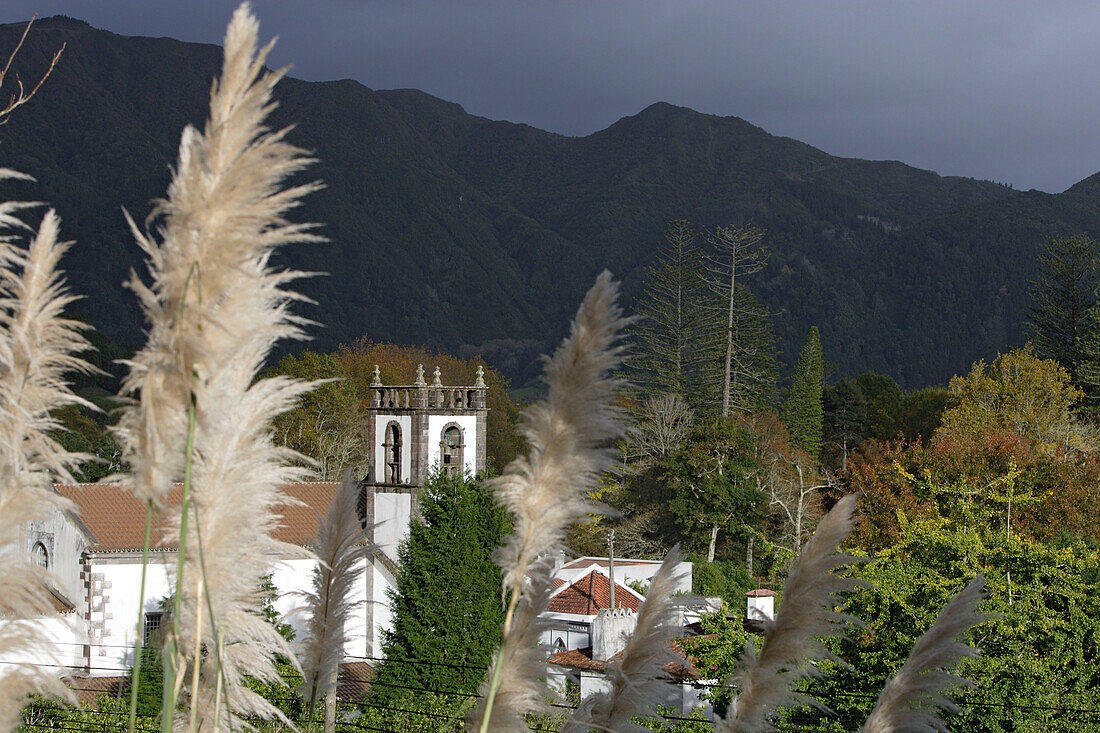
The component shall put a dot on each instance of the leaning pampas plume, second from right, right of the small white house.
(791, 640)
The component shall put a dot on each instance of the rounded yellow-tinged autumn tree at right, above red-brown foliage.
(1020, 392)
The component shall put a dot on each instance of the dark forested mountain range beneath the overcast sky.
(468, 235)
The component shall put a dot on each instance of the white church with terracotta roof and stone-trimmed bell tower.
(95, 555)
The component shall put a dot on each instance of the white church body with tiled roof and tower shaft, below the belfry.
(98, 584)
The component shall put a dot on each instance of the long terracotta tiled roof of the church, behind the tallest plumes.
(117, 519)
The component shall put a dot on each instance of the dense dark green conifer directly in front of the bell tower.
(447, 614)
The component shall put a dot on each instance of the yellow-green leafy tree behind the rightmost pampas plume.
(1039, 655)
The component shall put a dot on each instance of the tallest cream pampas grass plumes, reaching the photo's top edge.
(215, 309)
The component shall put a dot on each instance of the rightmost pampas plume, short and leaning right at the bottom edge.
(909, 702)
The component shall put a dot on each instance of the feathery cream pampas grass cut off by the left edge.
(38, 348)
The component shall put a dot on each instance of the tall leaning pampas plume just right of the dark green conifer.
(546, 493)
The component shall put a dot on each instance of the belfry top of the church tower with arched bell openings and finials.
(417, 428)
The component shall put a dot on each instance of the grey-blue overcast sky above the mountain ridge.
(1005, 91)
